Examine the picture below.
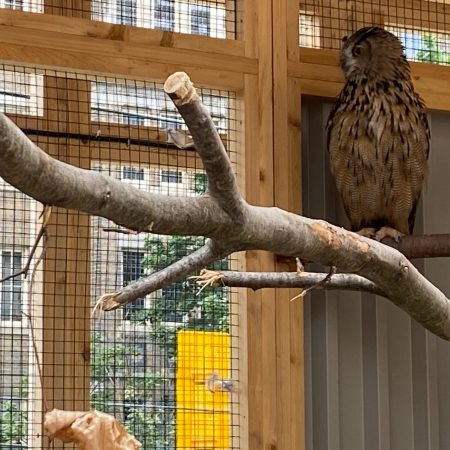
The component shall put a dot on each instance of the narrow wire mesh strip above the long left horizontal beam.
(214, 18)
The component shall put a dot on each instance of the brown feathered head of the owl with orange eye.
(373, 52)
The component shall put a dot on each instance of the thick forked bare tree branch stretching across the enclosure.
(230, 223)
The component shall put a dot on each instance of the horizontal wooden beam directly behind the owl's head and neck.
(320, 75)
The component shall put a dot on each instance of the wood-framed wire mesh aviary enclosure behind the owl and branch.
(83, 80)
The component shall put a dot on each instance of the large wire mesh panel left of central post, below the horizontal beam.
(126, 362)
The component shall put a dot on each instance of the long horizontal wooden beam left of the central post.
(97, 47)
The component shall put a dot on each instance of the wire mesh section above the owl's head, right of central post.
(423, 26)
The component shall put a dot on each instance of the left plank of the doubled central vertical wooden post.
(261, 330)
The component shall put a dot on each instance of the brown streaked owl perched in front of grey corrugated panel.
(378, 136)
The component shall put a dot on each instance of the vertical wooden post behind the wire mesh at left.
(65, 310)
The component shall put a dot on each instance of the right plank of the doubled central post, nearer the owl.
(287, 189)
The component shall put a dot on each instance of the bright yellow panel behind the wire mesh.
(203, 419)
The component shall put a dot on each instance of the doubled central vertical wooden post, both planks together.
(272, 145)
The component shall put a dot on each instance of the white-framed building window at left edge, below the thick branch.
(11, 290)
